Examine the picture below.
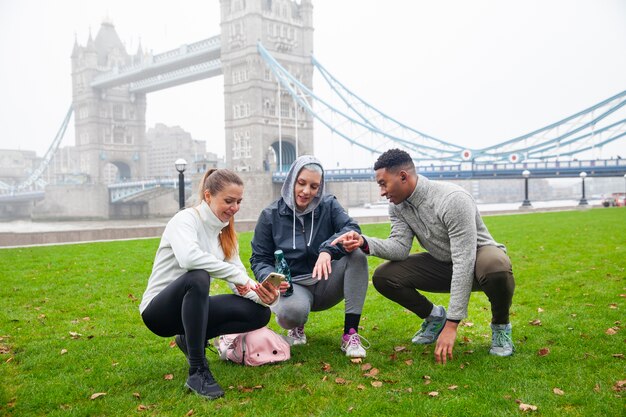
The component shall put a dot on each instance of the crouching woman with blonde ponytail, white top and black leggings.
(200, 244)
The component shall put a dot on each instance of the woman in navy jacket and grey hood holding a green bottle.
(302, 223)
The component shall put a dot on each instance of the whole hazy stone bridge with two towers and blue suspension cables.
(264, 54)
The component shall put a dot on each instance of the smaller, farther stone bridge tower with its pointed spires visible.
(109, 123)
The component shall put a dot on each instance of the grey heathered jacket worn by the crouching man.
(446, 222)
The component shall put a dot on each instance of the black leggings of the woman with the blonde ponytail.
(185, 307)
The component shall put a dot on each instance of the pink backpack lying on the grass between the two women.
(258, 347)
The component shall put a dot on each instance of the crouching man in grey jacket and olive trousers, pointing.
(461, 255)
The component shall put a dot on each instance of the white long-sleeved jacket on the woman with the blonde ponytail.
(190, 241)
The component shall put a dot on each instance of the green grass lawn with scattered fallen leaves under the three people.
(70, 328)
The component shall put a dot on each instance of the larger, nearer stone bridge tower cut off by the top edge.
(253, 108)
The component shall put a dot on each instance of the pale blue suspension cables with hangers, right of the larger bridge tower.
(363, 125)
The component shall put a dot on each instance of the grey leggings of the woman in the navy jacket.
(348, 280)
